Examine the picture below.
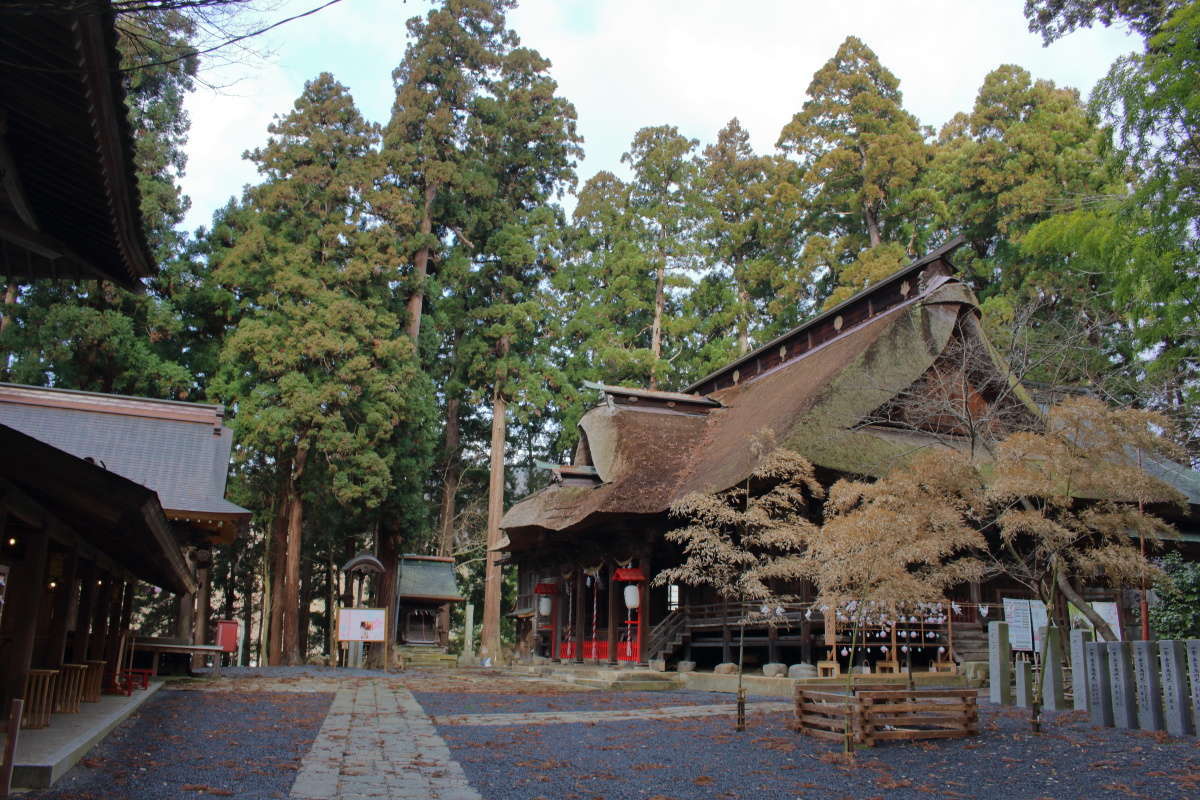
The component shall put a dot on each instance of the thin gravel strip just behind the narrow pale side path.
(439, 703)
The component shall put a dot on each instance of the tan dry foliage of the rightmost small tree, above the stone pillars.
(1071, 502)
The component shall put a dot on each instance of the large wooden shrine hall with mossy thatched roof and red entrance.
(855, 390)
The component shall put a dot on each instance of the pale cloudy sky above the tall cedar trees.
(629, 64)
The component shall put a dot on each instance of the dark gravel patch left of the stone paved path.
(191, 744)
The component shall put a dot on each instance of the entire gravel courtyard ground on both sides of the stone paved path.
(247, 735)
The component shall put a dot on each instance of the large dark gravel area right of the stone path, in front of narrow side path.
(701, 759)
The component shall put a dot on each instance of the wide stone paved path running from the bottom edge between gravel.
(379, 743)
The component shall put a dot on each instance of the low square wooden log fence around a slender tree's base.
(875, 714)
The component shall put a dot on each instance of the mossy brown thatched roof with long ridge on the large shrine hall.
(809, 390)
